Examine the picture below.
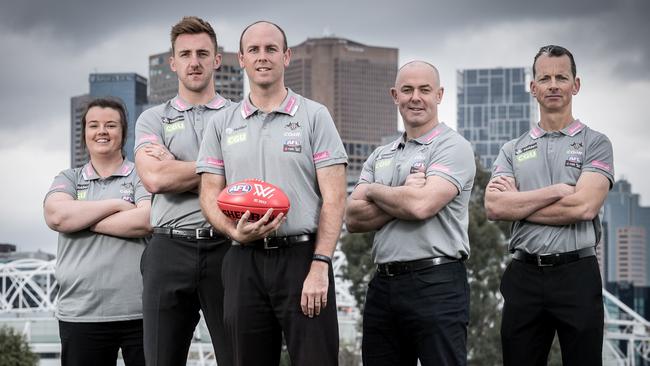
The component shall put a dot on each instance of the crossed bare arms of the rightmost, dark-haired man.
(558, 204)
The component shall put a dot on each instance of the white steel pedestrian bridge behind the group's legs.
(28, 299)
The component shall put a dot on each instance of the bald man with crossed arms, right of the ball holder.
(415, 193)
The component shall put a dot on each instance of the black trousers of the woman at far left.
(97, 343)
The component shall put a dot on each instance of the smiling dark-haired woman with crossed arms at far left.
(101, 211)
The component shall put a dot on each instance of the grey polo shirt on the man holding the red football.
(284, 147)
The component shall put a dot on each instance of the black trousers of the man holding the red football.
(262, 301)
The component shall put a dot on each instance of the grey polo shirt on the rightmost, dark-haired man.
(539, 159)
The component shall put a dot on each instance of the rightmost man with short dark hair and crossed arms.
(551, 183)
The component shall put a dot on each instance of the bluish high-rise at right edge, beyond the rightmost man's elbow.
(625, 223)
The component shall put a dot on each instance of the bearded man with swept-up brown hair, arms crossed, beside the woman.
(181, 267)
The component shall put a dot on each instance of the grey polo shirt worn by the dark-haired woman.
(99, 275)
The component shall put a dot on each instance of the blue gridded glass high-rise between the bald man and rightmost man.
(493, 108)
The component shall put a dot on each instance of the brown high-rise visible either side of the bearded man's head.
(163, 82)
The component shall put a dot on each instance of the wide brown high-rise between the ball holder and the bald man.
(353, 81)
